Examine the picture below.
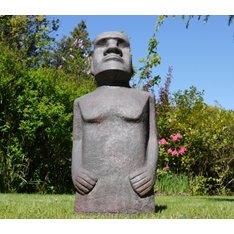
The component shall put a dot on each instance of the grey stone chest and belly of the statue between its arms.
(115, 129)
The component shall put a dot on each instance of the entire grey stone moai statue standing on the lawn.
(115, 146)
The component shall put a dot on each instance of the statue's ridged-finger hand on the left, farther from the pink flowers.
(84, 182)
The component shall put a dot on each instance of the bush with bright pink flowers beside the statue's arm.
(171, 152)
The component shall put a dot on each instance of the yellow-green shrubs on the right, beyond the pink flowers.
(208, 136)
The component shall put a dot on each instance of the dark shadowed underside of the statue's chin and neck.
(113, 77)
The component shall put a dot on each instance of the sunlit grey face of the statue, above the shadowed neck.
(111, 52)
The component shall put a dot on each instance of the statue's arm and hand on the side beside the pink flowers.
(143, 180)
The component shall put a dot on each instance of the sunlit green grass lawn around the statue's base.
(36, 206)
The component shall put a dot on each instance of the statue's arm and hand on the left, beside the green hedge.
(83, 180)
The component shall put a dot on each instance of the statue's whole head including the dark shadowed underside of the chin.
(112, 61)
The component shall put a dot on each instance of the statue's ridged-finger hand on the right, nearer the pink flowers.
(142, 181)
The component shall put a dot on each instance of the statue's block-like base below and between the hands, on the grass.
(114, 195)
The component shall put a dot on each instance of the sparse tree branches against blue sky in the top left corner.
(30, 36)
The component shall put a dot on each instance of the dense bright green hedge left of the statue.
(36, 125)
